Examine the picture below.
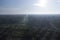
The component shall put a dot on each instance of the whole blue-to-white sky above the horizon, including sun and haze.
(29, 6)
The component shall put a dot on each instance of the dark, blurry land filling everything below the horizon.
(29, 27)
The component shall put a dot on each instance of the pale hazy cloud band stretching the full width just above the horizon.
(21, 11)
